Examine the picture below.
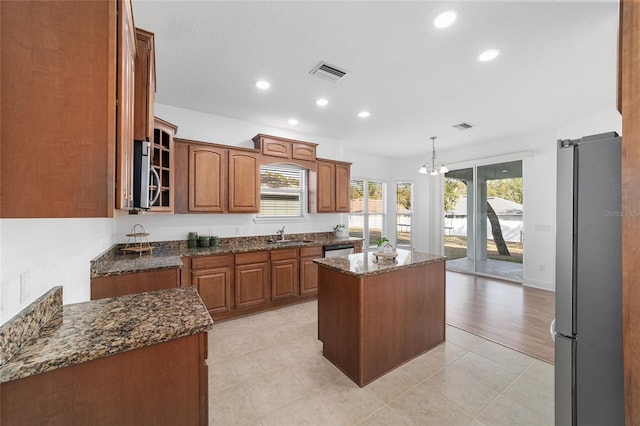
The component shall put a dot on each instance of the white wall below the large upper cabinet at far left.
(47, 253)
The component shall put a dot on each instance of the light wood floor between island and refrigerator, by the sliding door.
(513, 315)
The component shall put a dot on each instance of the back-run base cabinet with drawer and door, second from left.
(251, 279)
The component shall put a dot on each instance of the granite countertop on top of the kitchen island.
(365, 264)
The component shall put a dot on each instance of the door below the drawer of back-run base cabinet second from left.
(251, 285)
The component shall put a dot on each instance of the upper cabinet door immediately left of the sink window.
(244, 182)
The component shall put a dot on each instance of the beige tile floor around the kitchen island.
(268, 369)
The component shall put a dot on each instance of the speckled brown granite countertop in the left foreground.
(86, 331)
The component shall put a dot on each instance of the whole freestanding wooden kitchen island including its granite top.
(374, 315)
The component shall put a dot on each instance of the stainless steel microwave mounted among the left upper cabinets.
(145, 191)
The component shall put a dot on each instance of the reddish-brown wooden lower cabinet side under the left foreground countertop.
(162, 384)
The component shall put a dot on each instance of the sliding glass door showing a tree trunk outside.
(483, 220)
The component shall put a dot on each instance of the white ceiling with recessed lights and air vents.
(558, 64)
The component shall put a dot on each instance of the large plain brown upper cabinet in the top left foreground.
(59, 82)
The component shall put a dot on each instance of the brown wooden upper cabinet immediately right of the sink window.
(330, 187)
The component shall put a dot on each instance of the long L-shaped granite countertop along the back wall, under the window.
(168, 254)
